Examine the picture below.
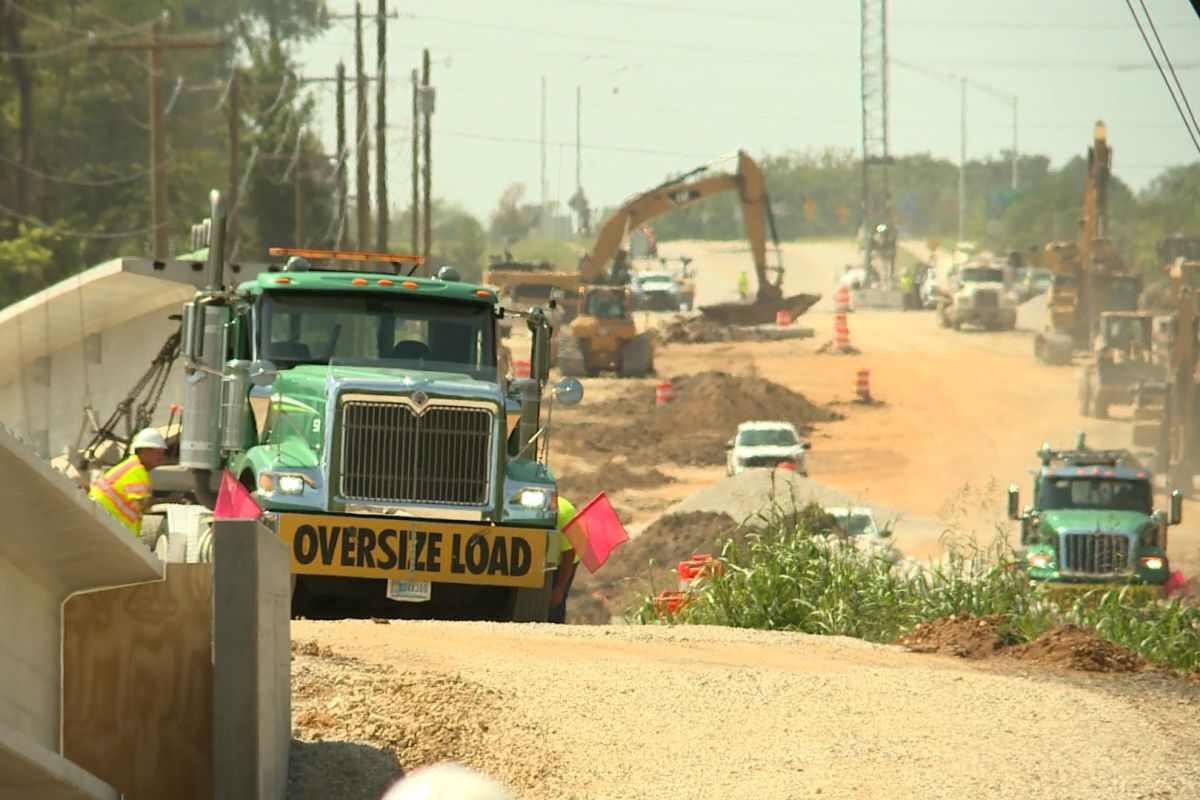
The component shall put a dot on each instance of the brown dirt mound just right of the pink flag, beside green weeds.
(646, 564)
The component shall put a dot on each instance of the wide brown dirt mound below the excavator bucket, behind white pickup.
(693, 429)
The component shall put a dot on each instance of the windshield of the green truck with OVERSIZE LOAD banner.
(377, 332)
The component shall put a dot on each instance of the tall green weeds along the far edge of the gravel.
(794, 574)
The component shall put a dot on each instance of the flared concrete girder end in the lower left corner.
(56, 544)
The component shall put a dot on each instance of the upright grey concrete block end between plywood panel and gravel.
(251, 682)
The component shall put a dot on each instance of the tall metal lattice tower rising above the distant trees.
(877, 202)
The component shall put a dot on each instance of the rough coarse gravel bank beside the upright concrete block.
(377, 724)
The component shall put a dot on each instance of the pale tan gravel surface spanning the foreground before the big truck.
(625, 712)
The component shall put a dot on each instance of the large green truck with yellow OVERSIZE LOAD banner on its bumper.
(368, 413)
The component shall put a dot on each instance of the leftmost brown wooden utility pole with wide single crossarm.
(155, 49)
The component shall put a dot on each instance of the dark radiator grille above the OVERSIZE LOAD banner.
(392, 454)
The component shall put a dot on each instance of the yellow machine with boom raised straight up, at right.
(1088, 276)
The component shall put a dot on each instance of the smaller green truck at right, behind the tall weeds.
(1093, 521)
